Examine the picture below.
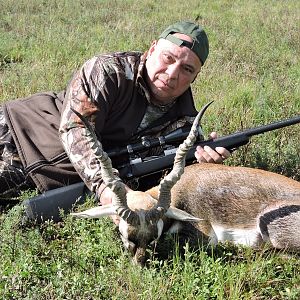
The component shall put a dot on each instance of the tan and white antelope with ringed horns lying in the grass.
(242, 205)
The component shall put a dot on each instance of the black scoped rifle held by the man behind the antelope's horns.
(47, 205)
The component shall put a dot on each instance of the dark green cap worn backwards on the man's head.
(200, 41)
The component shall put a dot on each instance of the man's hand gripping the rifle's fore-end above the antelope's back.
(208, 155)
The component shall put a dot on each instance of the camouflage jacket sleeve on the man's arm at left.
(82, 93)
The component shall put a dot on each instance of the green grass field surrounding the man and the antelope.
(253, 76)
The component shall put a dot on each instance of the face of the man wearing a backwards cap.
(170, 69)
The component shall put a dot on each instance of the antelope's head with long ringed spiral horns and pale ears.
(141, 215)
